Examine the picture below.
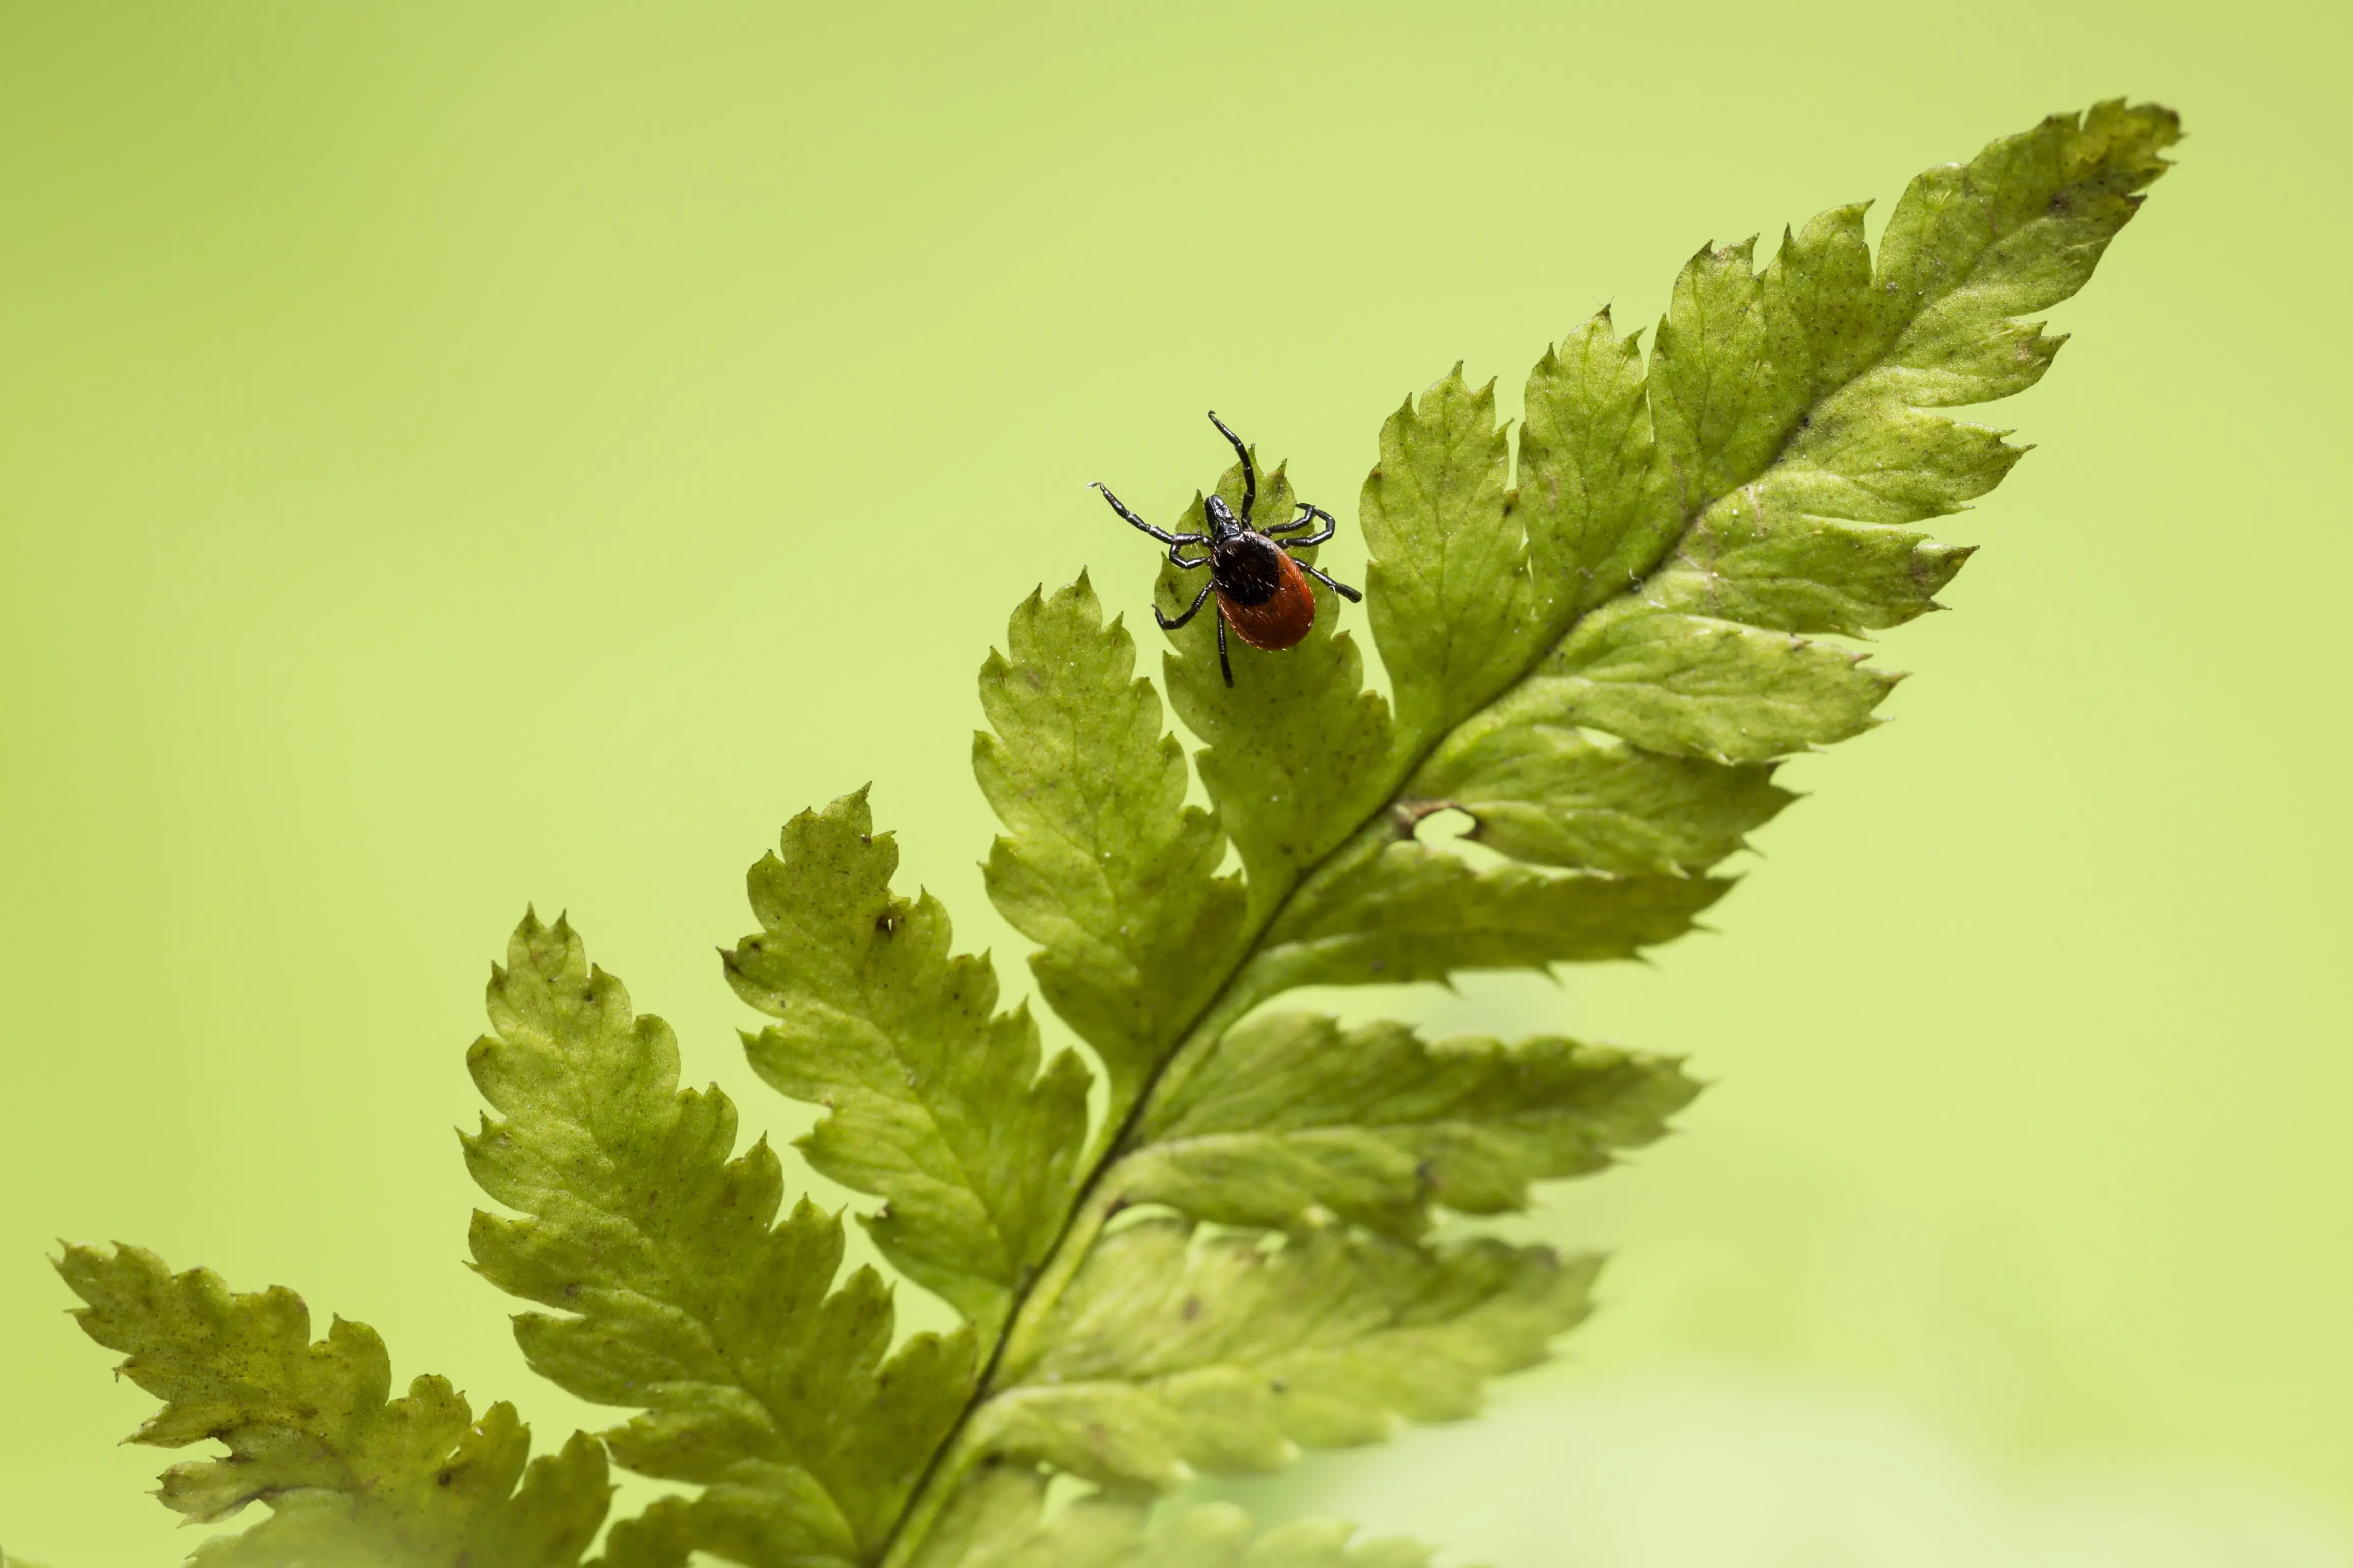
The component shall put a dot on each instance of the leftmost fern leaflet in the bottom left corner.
(352, 1475)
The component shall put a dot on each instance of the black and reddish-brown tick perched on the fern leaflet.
(1260, 589)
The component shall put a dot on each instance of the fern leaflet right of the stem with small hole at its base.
(1585, 800)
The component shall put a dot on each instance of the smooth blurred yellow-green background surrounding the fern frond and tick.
(472, 455)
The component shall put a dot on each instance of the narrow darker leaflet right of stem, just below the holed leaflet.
(1397, 911)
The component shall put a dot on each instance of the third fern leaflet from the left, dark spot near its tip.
(935, 1101)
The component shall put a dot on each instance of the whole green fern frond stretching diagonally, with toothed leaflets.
(1601, 641)
